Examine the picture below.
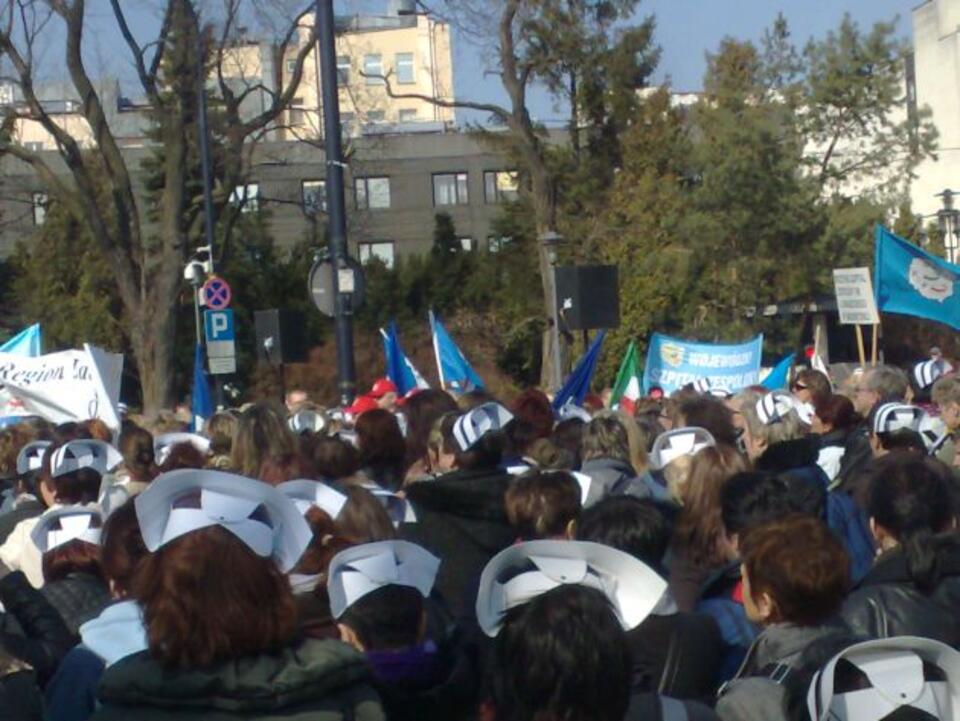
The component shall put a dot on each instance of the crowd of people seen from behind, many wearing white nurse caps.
(759, 555)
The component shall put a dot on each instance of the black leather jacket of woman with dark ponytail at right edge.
(887, 602)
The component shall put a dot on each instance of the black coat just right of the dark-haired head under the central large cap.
(677, 654)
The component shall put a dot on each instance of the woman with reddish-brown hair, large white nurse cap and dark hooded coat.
(229, 648)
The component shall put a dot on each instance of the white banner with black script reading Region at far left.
(73, 385)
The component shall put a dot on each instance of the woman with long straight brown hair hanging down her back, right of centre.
(696, 550)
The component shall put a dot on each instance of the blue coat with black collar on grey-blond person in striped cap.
(799, 458)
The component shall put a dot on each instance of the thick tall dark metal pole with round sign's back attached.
(335, 199)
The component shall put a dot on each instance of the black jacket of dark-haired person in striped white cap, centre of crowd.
(462, 520)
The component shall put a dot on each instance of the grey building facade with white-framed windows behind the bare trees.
(396, 184)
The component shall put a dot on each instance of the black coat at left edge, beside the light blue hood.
(31, 629)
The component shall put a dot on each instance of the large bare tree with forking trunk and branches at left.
(146, 250)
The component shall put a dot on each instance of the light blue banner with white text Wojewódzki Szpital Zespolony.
(673, 363)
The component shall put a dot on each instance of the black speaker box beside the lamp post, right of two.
(588, 296)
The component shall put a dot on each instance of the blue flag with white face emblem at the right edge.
(911, 281)
